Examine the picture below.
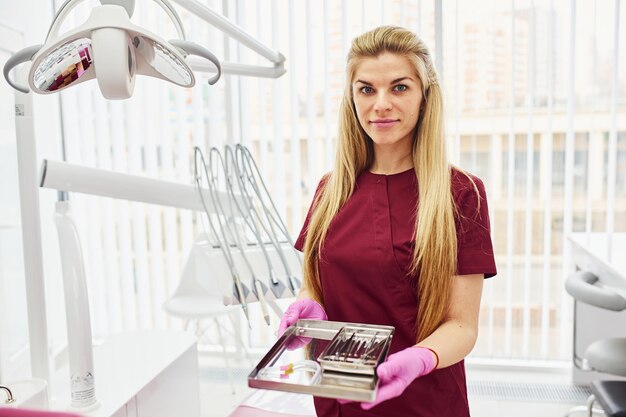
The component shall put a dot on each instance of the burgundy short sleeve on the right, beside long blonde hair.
(475, 249)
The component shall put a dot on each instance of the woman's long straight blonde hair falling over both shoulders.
(434, 256)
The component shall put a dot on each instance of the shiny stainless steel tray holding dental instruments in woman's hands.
(293, 363)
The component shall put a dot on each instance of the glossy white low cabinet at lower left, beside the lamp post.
(152, 373)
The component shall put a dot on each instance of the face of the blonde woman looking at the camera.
(387, 97)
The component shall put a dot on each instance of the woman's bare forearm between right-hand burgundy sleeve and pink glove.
(456, 336)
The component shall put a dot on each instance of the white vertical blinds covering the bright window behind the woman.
(536, 107)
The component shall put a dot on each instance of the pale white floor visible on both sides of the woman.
(492, 393)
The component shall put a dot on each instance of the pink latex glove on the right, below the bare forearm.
(398, 371)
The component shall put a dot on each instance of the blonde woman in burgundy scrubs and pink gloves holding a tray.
(396, 235)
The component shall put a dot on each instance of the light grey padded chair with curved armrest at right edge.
(605, 355)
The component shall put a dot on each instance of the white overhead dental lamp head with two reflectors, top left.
(109, 48)
